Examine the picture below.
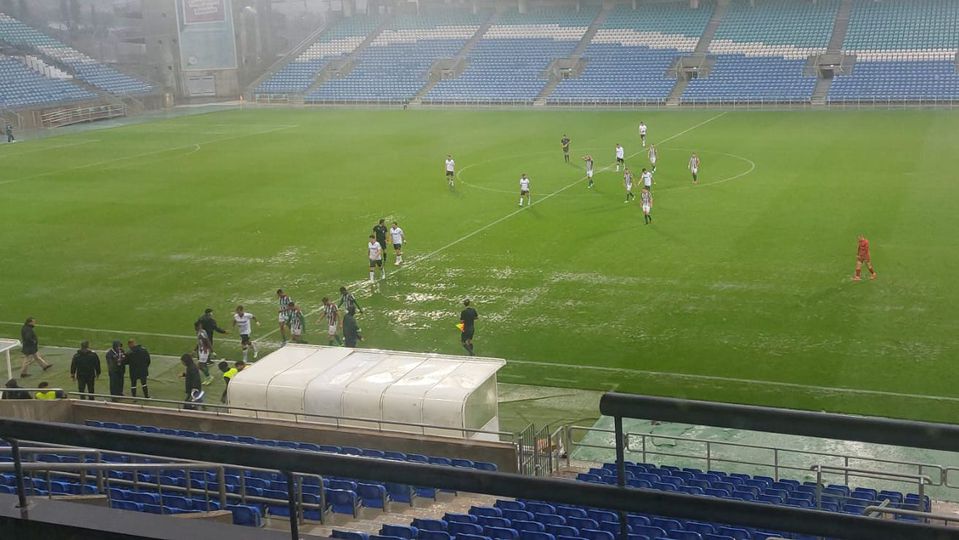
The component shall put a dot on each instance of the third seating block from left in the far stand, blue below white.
(508, 64)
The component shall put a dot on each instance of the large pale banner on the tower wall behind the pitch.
(206, 35)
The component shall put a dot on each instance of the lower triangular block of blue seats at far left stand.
(22, 87)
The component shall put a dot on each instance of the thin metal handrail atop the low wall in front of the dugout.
(337, 419)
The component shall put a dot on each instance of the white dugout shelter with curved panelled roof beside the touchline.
(369, 388)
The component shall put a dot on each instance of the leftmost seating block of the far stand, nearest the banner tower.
(342, 38)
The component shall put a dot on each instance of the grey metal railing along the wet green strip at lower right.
(647, 449)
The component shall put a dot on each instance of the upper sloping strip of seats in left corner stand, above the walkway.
(18, 34)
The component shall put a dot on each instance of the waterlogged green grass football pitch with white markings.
(739, 291)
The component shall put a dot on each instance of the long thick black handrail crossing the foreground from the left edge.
(489, 482)
